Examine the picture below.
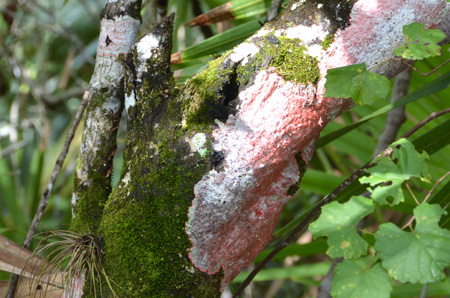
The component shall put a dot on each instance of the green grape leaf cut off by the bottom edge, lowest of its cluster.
(354, 278)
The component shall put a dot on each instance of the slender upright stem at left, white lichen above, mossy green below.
(119, 24)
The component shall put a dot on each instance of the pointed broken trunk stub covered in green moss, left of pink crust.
(143, 223)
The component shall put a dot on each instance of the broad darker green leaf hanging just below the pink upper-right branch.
(357, 82)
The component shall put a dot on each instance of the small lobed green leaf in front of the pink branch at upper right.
(421, 43)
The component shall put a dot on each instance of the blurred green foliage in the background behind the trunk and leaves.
(46, 60)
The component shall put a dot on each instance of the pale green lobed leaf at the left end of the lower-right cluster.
(338, 222)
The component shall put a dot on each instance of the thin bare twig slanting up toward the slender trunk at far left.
(45, 196)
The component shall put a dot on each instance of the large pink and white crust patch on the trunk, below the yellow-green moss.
(235, 211)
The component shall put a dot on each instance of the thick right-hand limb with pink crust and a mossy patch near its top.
(277, 112)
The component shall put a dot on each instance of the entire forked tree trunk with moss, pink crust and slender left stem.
(208, 166)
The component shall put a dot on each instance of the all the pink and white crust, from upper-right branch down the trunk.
(236, 210)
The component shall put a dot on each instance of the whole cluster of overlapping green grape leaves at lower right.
(418, 256)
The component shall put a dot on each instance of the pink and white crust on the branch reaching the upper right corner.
(376, 30)
